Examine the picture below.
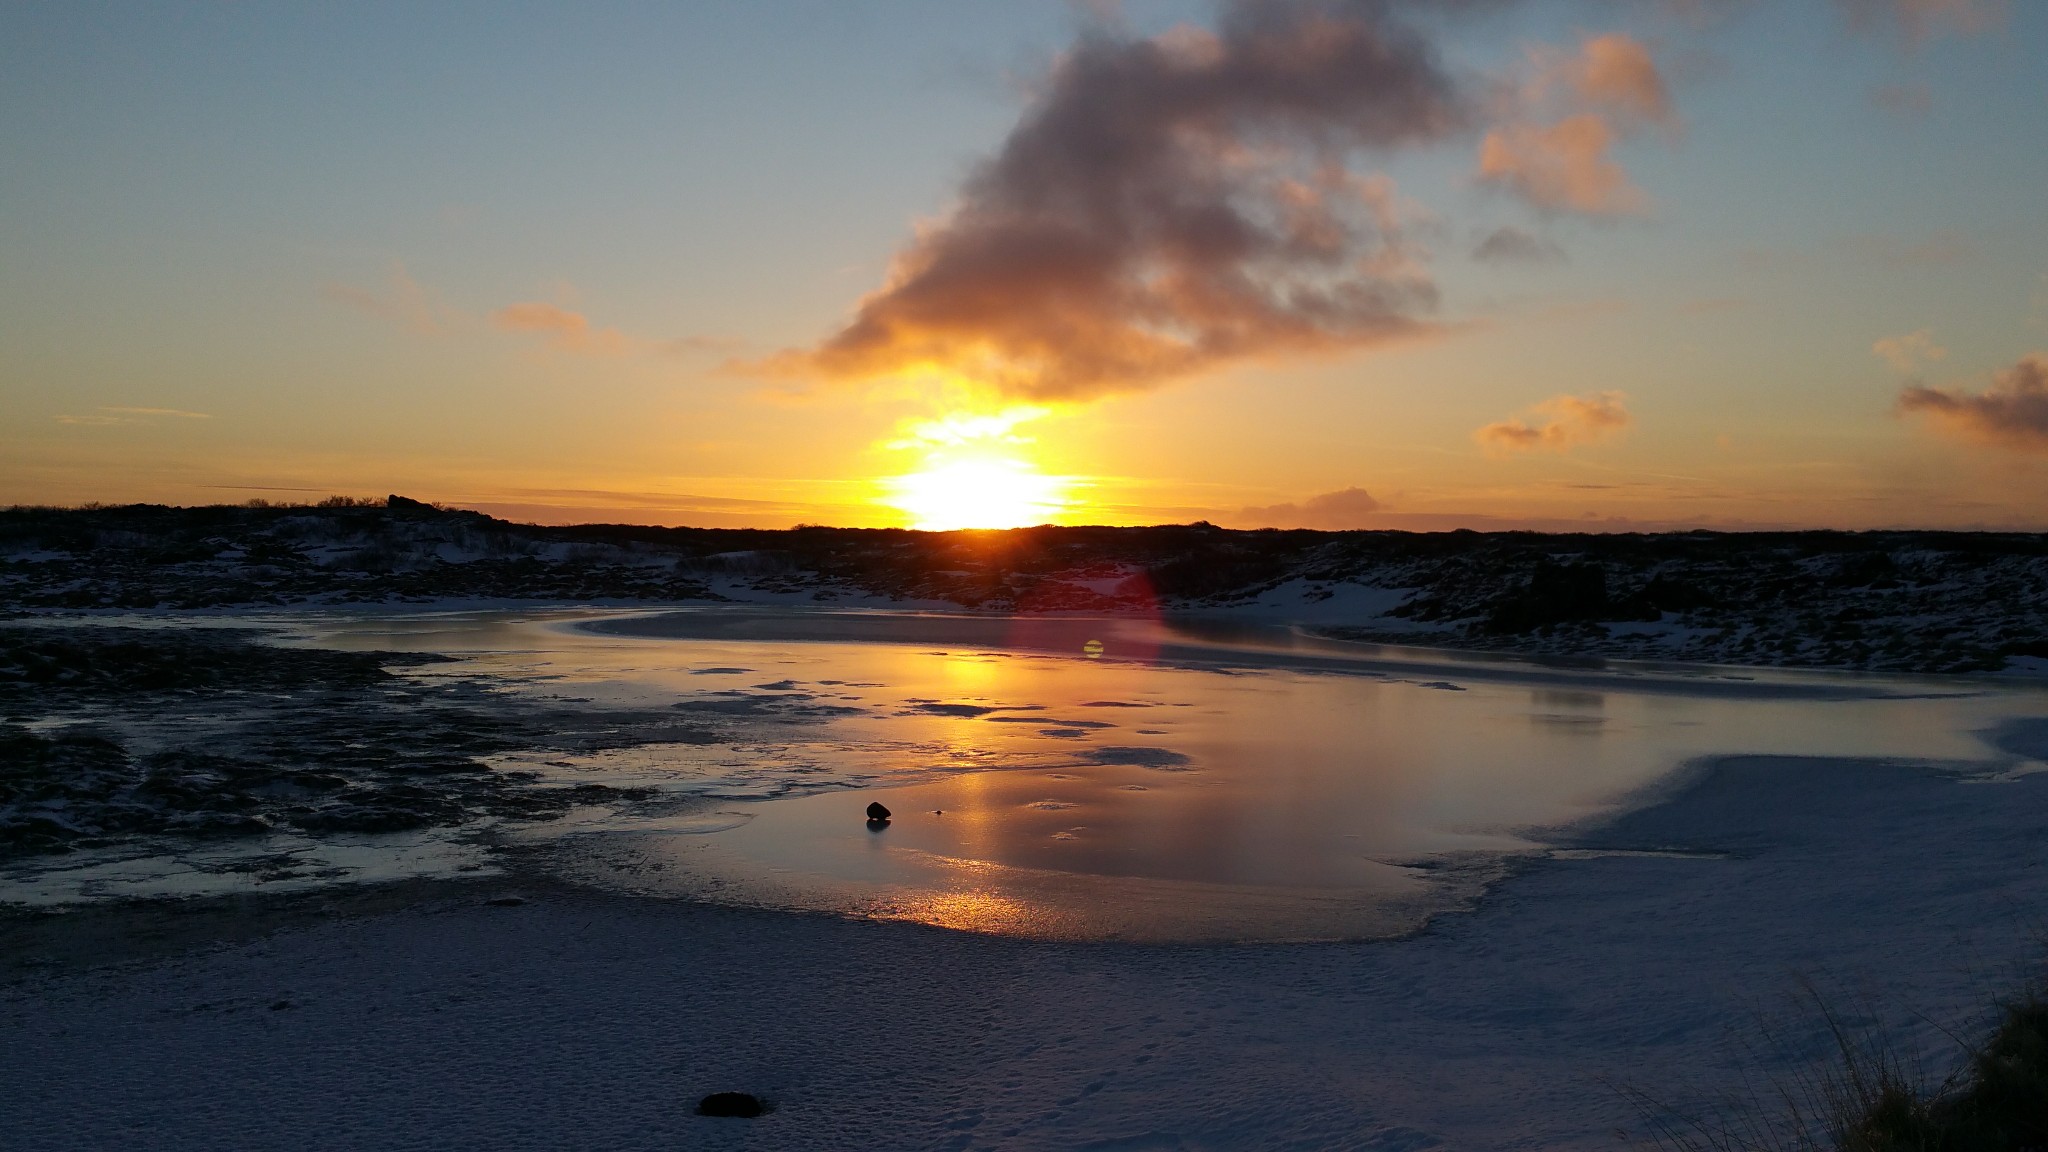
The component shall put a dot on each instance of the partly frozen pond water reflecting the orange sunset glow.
(1127, 778)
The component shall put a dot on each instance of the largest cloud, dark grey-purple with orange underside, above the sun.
(1166, 208)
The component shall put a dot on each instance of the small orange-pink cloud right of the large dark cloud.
(1609, 89)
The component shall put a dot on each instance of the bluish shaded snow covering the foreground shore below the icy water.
(597, 1022)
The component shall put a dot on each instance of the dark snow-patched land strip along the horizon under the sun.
(1906, 602)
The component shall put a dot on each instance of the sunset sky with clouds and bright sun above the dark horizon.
(1582, 265)
